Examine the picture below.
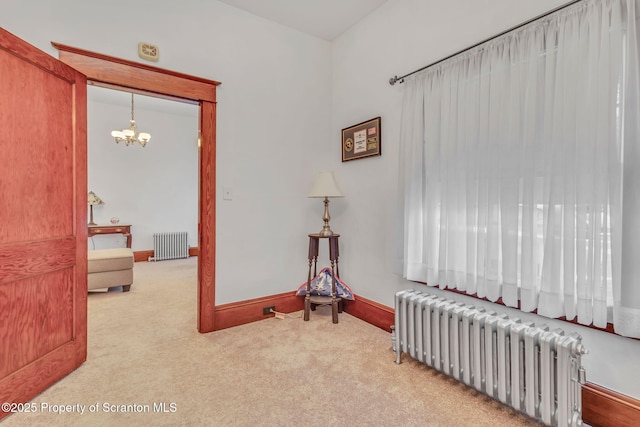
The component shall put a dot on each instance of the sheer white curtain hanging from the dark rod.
(520, 168)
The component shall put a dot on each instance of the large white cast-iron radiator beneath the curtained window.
(530, 368)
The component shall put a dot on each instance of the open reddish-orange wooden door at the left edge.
(43, 220)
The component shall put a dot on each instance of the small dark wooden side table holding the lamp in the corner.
(314, 242)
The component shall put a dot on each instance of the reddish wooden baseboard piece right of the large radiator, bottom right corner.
(602, 407)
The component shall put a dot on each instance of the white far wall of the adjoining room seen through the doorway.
(155, 188)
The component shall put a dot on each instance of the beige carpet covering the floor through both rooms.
(144, 349)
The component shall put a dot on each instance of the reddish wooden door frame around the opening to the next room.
(116, 73)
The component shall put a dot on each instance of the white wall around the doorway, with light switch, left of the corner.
(273, 117)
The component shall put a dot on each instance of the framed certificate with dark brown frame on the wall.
(362, 140)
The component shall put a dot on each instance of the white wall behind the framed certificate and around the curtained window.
(397, 38)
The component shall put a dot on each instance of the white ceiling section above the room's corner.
(326, 19)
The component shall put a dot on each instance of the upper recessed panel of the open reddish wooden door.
(37, 197)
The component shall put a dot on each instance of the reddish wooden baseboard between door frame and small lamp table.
(241, 312)
